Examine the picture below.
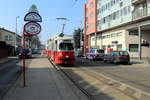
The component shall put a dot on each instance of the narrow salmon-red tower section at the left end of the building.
(90, 22)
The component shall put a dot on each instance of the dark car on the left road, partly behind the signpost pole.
(27, 53)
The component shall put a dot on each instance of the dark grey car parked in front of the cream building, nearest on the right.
(117, 57)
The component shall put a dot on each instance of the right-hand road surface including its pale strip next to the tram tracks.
(131, 80)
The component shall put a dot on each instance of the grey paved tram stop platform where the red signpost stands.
(43, 82)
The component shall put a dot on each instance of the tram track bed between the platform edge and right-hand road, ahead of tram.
(93, 88)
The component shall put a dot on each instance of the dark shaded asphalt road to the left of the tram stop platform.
(8, 74)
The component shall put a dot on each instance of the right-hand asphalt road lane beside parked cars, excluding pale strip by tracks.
(135, 76)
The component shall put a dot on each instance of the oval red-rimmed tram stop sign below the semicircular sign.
(32, 29)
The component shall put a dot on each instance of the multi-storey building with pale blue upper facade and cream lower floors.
(122, 25)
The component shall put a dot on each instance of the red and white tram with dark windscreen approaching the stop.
(60, 49)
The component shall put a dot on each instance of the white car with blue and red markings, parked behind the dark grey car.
(95, 54)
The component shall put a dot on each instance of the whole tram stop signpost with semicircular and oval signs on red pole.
(31, 28)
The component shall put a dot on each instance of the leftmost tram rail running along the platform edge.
(58, 68)
